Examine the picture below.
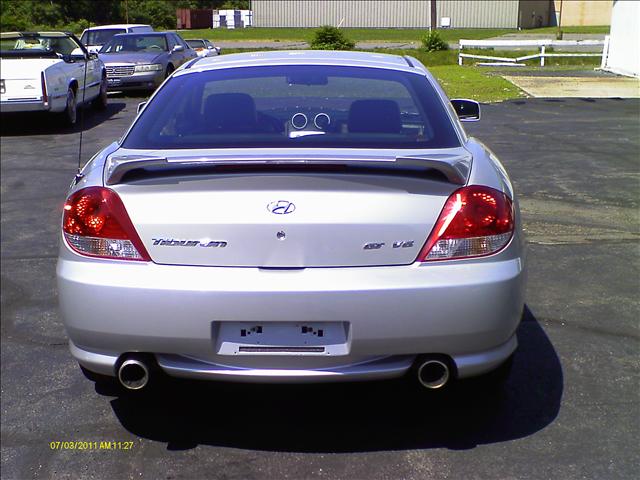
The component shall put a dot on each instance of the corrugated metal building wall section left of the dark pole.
(360, 13)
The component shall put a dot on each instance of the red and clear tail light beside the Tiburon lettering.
(95, 223)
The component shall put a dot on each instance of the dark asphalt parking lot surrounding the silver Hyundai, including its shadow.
(571, 408)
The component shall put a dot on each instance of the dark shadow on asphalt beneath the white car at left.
(42, 123)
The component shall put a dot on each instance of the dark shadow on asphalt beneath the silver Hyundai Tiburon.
(351, 417)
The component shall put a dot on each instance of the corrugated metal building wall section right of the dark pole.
(479, 14)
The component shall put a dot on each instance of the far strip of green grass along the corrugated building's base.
(369, 34)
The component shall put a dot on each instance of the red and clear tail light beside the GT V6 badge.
(475, 221)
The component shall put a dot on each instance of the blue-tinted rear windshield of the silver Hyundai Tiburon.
(295, 106)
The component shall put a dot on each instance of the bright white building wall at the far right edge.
(624, 39)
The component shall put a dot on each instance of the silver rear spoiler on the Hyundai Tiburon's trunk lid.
(455, 169)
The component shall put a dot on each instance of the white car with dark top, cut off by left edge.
(48, 71)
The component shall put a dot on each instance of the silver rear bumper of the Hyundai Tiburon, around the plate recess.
(466, 310)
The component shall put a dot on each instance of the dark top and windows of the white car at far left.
(38, 44)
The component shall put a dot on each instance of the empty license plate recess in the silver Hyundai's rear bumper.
(281, 338)
